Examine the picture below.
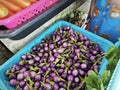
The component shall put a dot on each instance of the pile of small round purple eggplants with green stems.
(61, 61)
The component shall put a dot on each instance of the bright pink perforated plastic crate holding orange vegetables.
(27, 13)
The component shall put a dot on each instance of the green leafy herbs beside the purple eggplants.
(95, 82)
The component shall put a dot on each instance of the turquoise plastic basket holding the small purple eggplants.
(103, 43)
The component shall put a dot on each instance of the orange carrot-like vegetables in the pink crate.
(10, 7)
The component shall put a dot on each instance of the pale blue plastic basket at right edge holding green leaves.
(114, 83)
